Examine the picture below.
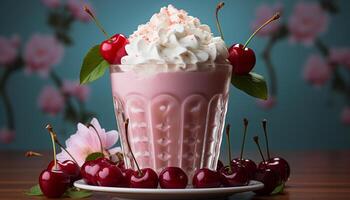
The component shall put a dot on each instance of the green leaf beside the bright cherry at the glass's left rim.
(93, 67)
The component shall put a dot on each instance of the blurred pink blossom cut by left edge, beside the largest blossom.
(8, 49)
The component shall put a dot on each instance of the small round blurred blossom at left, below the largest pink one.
(50, 100)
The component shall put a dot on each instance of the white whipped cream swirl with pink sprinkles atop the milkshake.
(175, 41)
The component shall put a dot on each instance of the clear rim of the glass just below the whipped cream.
(115, 68)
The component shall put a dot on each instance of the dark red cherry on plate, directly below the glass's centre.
(173, 178)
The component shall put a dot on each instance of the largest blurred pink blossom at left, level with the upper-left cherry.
(41, 53)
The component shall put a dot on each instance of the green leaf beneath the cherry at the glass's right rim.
(252, 84)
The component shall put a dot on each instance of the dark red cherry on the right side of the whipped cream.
(241, 59)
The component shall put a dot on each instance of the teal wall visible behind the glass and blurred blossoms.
(304, 118)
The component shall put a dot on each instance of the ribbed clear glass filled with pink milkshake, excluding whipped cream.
(175, 118)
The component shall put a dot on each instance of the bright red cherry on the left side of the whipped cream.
(113, 49)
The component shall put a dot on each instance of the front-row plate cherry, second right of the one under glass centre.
(237, 176)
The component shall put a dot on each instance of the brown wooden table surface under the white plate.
(319, 175)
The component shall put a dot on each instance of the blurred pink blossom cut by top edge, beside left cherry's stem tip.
(76, 8)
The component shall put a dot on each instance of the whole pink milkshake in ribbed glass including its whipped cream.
(173, 86)
